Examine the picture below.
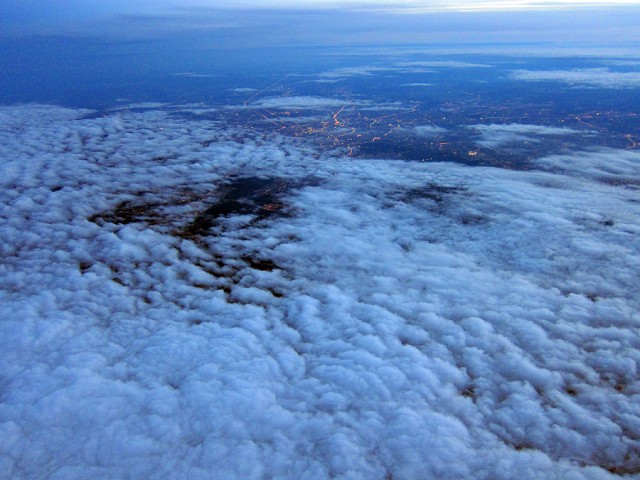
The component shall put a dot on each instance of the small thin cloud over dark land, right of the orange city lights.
(498, 135)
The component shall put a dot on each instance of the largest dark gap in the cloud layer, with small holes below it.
(197, 216)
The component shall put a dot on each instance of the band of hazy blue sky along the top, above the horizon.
(117, 20)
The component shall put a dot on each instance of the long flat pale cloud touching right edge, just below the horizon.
(582, 77)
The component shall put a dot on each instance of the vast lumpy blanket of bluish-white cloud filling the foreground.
(188, 299)
